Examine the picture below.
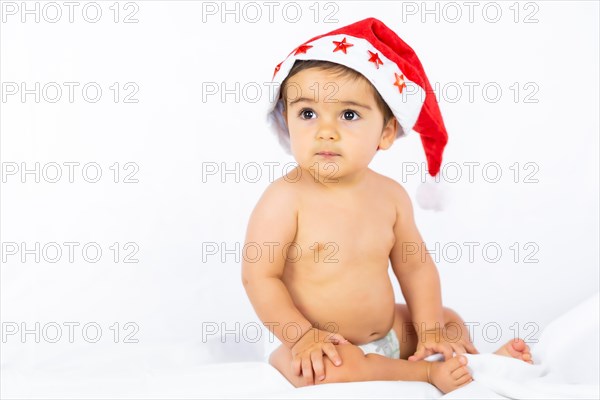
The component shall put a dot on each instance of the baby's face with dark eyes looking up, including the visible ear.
(333, 119)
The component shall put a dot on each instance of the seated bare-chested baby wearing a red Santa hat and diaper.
(327, 296)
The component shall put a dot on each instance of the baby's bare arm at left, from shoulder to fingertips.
(272, 225)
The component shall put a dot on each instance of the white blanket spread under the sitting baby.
(566, 366)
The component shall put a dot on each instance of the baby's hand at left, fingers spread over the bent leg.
(307, 353)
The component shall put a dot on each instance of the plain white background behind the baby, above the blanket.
(173, 53)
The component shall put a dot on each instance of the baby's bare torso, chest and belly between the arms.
(337, 271)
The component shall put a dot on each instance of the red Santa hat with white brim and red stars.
(375, 51)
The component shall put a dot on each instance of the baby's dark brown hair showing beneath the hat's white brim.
(340, 71)
